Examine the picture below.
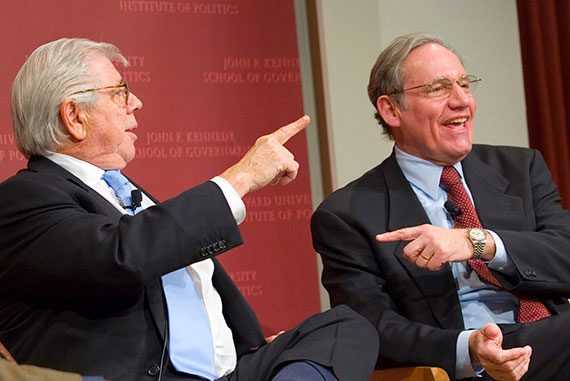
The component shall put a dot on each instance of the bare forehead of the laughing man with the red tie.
(431, 61)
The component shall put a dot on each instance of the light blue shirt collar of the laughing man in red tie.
(421, 173)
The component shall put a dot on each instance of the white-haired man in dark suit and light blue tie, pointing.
(98, 278)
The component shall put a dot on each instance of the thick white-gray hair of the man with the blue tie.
(51, 73)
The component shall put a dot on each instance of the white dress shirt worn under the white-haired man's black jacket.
(225, 357)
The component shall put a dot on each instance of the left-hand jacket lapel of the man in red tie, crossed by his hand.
(438, 287)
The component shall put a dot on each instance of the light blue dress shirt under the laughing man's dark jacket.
(481, 302)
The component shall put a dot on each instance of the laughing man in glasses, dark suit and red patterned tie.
(457, 253)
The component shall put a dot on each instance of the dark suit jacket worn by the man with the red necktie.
(417, 311)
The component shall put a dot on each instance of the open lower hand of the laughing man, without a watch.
(485, 349)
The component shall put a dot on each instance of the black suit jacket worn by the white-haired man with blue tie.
(80, 283)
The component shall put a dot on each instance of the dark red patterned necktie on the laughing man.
(531, 309)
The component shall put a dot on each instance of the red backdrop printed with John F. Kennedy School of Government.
(213, 76)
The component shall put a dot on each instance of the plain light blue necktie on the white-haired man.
(190, 340)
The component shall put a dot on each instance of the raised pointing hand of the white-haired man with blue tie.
(268, 161)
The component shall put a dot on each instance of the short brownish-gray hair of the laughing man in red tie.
(387, 75)
